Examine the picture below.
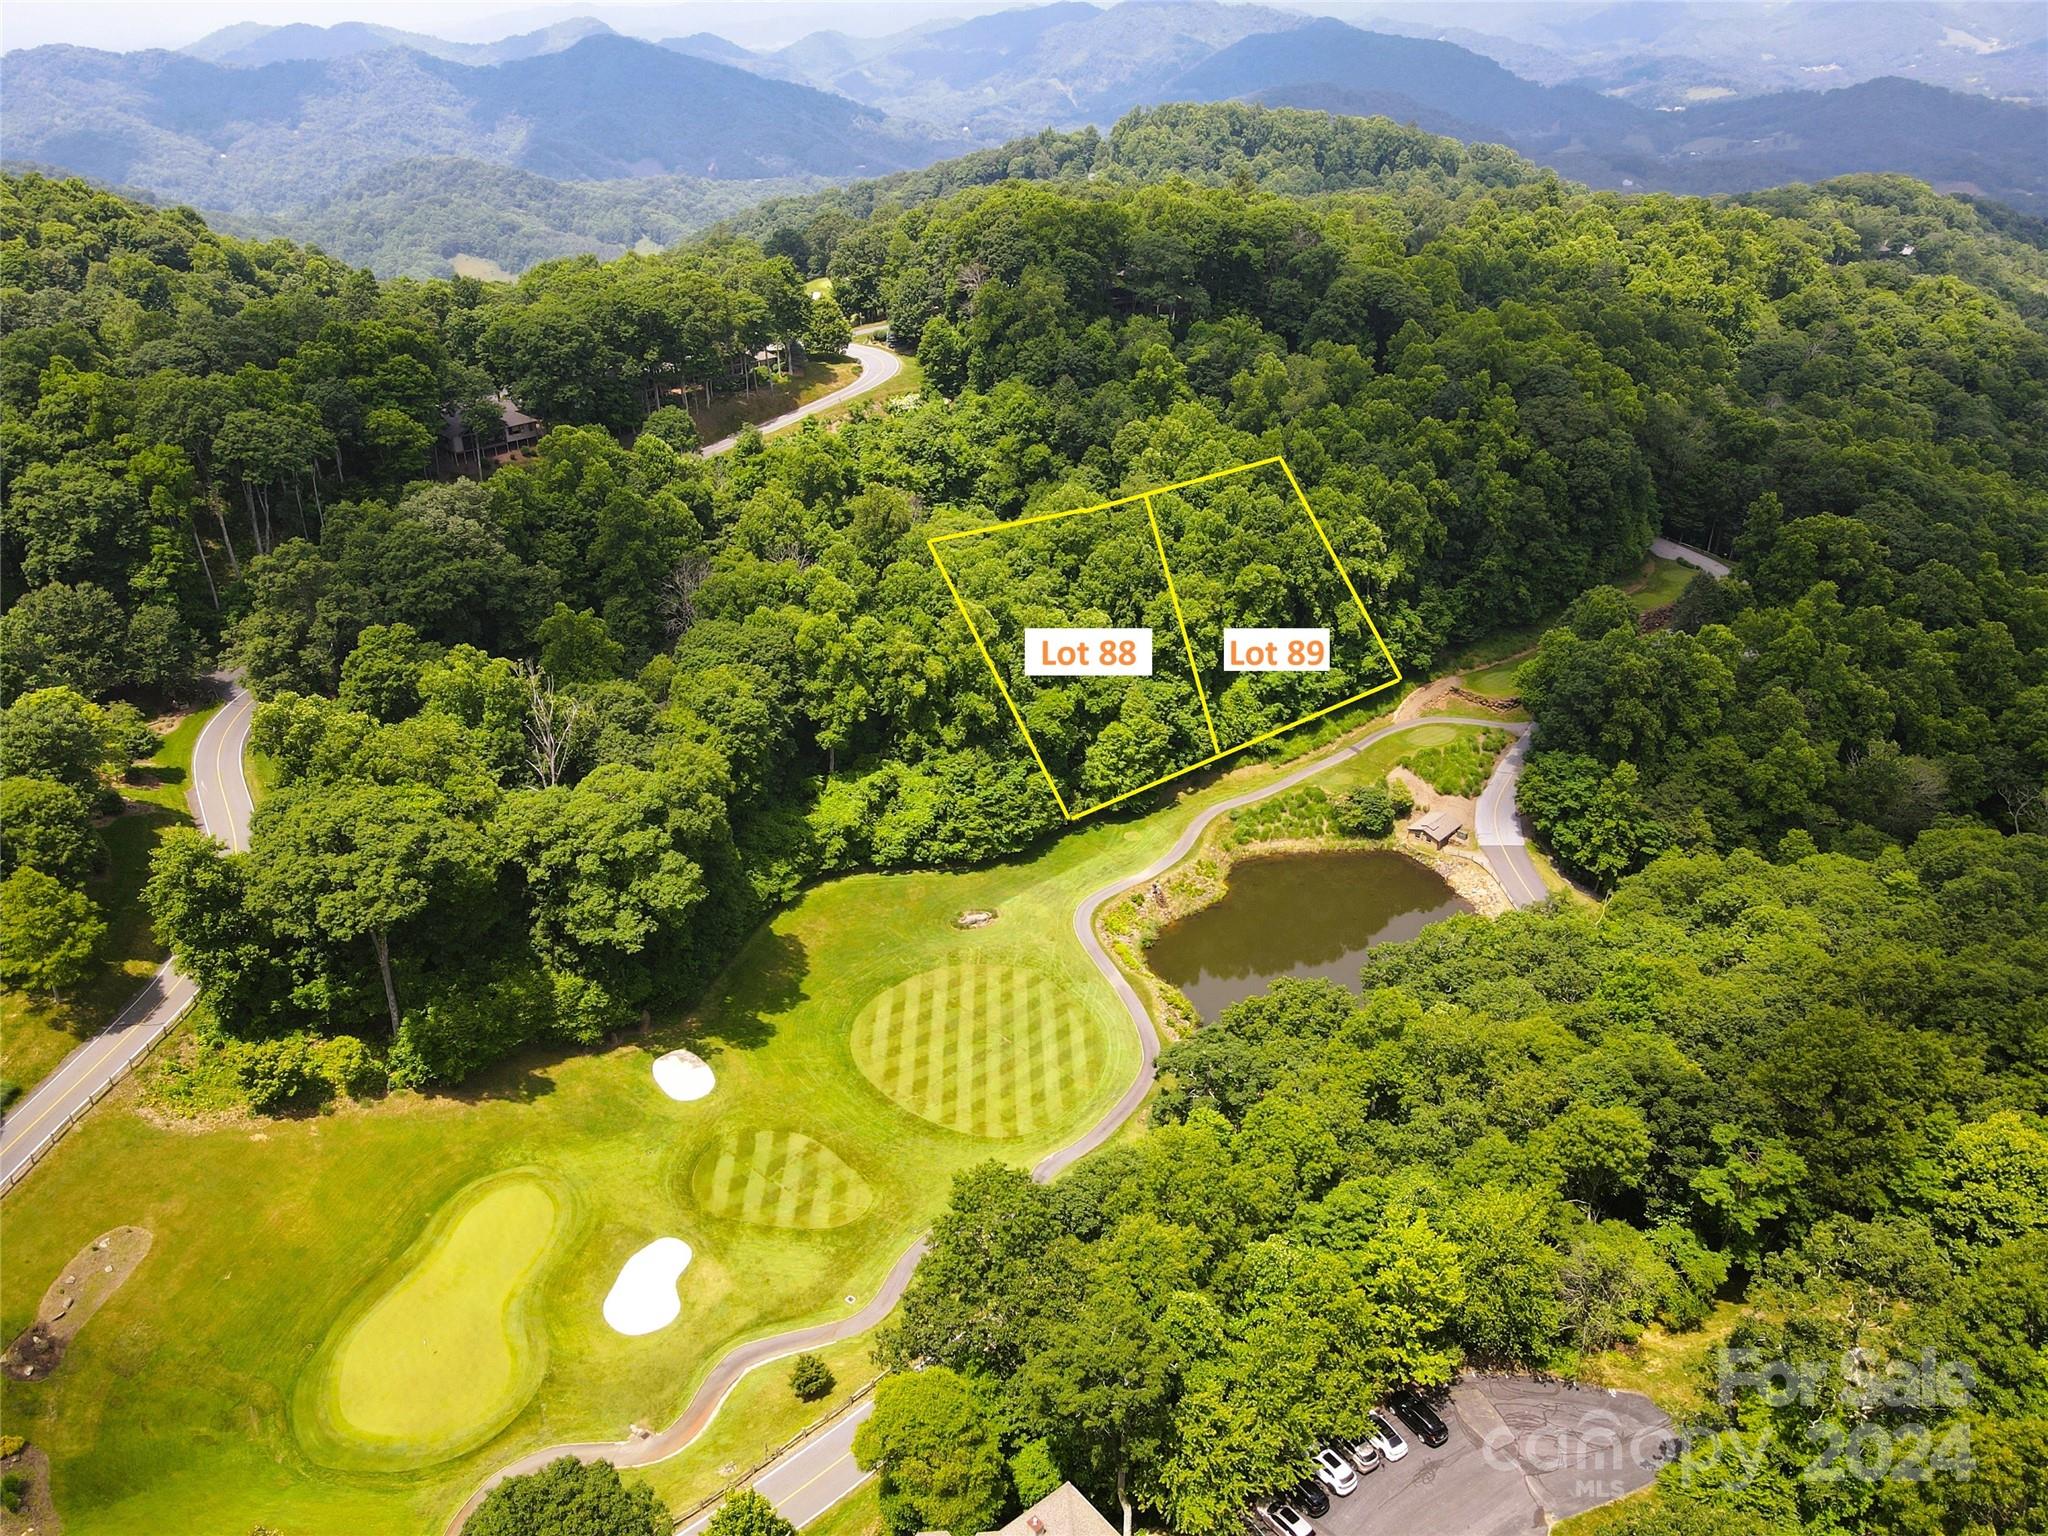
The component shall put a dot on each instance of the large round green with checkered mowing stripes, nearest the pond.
(986, 1050)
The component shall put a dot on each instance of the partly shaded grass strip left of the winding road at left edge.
(38, 1033)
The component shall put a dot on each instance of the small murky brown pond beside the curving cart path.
(1297, 916)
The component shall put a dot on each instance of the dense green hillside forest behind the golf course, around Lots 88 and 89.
(736, 675)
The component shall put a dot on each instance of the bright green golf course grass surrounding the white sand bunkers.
(194, 1400)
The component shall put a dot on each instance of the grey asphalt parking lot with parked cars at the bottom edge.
(1521, 1455)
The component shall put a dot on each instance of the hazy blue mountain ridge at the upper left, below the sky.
(259, 138)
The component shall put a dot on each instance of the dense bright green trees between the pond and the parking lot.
(1818, 1082)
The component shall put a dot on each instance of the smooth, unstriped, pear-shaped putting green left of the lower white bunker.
(445, 1357)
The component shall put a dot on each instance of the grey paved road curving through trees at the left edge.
(220, 800)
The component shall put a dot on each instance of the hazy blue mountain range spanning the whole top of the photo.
(308, 126)
